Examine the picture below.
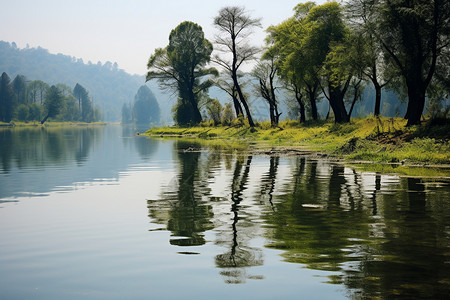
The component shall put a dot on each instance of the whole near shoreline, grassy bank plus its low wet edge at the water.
(377, 144)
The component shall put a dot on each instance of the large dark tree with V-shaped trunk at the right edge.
(415, 36)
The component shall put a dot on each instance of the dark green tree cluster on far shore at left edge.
(35, 100)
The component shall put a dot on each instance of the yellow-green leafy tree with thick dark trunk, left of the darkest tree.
(322, 31)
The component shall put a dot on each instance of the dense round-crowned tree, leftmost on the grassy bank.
(180, 67)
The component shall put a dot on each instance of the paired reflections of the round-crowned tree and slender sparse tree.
(186, 209)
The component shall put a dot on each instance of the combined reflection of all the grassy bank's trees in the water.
(382, 236)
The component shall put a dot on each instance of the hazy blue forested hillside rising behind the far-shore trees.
(109, 87)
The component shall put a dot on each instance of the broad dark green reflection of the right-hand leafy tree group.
(383, 245)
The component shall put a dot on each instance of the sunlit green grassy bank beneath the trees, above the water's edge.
(369, 139)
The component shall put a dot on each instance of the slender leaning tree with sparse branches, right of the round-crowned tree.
(235, 26)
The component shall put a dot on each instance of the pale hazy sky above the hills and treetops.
(122, 31)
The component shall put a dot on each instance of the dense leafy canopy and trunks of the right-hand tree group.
(338, 48)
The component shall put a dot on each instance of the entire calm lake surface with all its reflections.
(100, 213)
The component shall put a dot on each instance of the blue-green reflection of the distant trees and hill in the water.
(38, 160)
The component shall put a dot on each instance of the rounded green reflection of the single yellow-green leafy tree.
(312, 225)
